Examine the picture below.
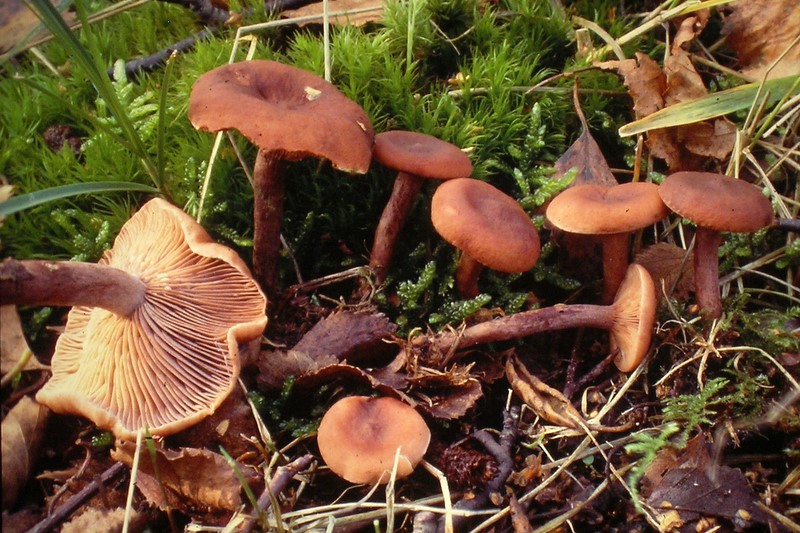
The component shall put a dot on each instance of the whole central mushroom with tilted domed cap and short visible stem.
(488, 226)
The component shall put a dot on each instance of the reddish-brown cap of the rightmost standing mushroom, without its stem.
(716, 201)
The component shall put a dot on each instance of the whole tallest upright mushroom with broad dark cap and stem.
(290, 114)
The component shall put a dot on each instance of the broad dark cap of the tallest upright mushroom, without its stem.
(283, 109)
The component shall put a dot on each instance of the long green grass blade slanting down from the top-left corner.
(83, 57)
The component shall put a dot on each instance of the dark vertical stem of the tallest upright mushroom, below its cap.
(268, 192)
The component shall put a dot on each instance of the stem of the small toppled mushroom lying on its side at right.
(526, 323)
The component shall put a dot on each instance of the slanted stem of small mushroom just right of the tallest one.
(405, 190)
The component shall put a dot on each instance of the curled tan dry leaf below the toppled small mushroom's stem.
(544, 400)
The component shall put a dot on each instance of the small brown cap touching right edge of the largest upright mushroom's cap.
(421, 155)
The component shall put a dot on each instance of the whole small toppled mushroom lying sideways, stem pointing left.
(629, 319)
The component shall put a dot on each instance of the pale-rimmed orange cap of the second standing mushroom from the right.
(597, 210)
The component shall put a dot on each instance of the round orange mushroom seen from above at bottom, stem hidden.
(359, 438)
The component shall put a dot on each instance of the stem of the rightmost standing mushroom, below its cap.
(706, 271)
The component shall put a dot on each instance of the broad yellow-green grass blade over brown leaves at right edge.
(713, 105)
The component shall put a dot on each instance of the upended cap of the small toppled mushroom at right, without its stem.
(635, 307)
